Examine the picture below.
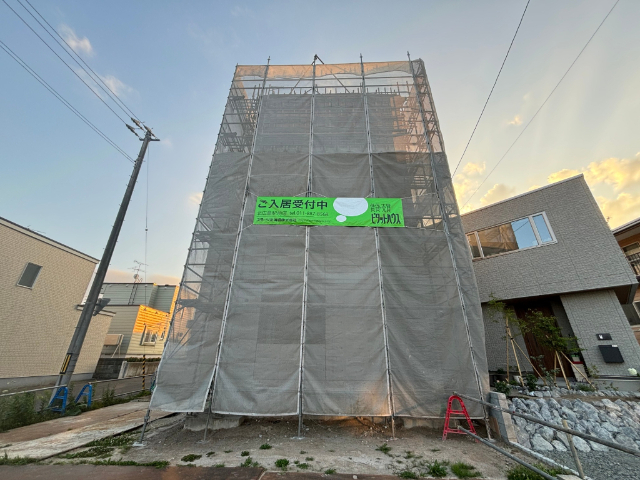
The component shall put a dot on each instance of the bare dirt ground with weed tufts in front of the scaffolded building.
(346, 446)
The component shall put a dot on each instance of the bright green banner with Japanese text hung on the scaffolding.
(344, 212)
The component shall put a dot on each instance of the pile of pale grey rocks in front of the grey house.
(617, 421)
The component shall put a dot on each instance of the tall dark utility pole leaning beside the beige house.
(89, 309)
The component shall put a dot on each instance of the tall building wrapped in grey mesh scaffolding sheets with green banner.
(285, 315)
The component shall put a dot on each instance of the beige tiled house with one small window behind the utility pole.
(42, 282)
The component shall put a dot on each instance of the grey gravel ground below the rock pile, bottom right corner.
(602, 465)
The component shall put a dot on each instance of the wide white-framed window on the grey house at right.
(527, 232)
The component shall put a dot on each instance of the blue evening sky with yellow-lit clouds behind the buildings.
(172, 64)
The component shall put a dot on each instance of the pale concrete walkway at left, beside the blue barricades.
(46, 439)
